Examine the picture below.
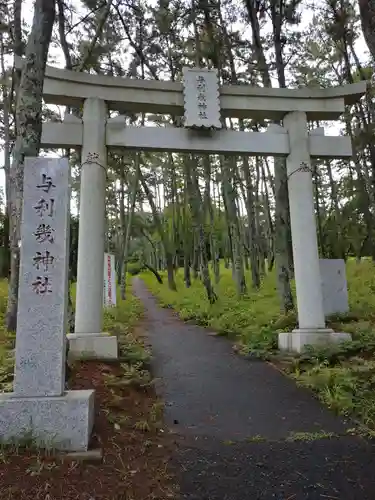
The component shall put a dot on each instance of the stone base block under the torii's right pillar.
(299, 338)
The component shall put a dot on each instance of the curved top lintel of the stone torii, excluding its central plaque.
(153, 96)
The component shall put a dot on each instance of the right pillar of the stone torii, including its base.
(311, 321)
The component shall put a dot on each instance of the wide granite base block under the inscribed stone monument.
(59, 423)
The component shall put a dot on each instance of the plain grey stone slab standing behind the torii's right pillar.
(334, 286)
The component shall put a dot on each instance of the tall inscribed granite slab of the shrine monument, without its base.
(42, 309)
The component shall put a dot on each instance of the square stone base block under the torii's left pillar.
(92, 346)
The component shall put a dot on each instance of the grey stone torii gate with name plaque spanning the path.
(204, 105)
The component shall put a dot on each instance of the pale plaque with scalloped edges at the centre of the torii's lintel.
(201, 98)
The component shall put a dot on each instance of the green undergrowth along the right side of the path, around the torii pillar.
(342, 376)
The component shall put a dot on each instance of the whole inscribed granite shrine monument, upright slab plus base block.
(39, 407)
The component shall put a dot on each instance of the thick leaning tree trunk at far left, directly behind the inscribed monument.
(29, 131)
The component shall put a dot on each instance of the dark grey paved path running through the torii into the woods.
(234, 419)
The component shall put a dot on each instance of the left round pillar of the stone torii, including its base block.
(88, 341)
